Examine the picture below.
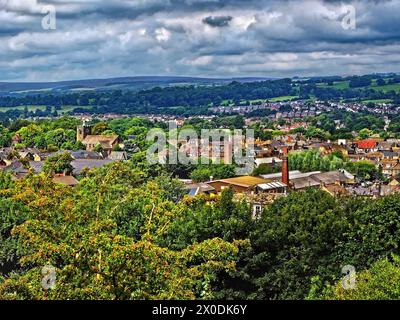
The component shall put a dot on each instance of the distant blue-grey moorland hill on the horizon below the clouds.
(125, 83)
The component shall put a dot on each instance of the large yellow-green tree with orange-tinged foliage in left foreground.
(86, 234)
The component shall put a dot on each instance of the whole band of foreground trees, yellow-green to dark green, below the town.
(127, 232)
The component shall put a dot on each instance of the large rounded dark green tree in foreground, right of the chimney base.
(296, 238)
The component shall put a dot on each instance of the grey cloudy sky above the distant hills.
(214, 38)
